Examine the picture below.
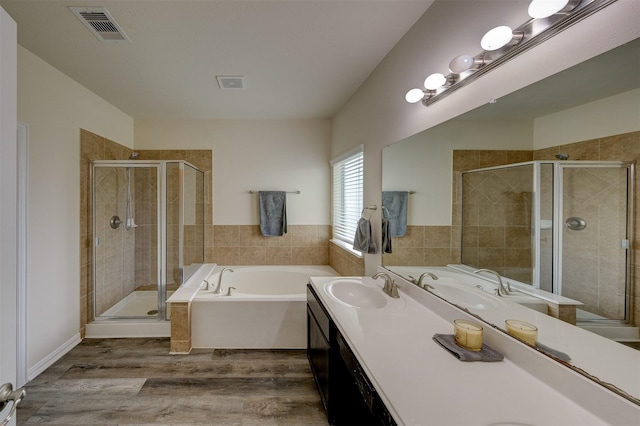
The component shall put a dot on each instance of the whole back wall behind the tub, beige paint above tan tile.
(258, 155)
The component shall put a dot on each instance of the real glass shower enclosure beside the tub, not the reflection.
(148, 235)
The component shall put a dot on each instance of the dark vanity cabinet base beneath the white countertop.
(347, 394)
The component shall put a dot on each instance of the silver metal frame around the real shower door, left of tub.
(161, 232)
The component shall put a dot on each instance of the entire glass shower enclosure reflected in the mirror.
(562, 226)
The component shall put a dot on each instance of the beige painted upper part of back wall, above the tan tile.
(255, 155)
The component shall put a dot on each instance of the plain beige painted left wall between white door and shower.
(55, 108)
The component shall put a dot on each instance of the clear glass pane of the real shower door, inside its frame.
(126, 240)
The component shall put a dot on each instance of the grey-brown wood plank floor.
(136, 381)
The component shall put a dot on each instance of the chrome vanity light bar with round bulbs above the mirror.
(501, 44)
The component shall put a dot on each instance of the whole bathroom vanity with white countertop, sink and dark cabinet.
(375, 362)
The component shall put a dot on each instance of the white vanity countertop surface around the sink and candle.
(422, 383)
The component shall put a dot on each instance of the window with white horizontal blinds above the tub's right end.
(347, 179)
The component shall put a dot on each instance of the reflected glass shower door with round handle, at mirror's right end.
(594, 240)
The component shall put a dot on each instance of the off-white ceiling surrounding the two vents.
(299, 58)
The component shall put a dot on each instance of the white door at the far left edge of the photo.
(8, 206)
